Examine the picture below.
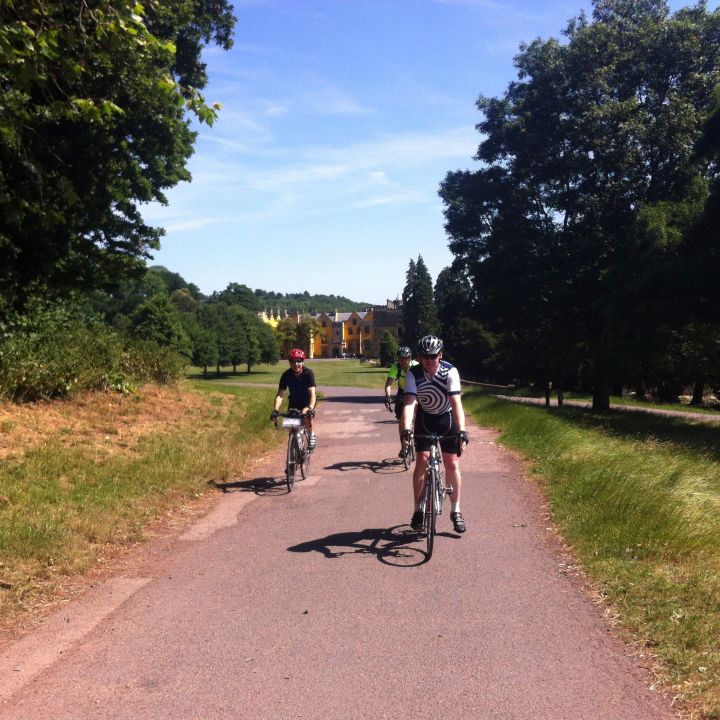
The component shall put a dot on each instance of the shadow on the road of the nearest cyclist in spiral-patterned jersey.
(390, 546)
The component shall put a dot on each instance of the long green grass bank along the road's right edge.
(638, 499)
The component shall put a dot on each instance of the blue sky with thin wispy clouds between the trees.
(339, 120)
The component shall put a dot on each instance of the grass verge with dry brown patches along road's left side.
(66, 502)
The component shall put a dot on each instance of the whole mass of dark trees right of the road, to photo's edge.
(586, 245)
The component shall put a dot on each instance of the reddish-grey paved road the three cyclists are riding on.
(317, 604)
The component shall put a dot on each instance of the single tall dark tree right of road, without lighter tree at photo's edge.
(593, 135)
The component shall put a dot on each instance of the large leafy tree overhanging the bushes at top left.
(93, 123)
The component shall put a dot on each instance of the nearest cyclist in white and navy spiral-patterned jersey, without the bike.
(434, 387)
